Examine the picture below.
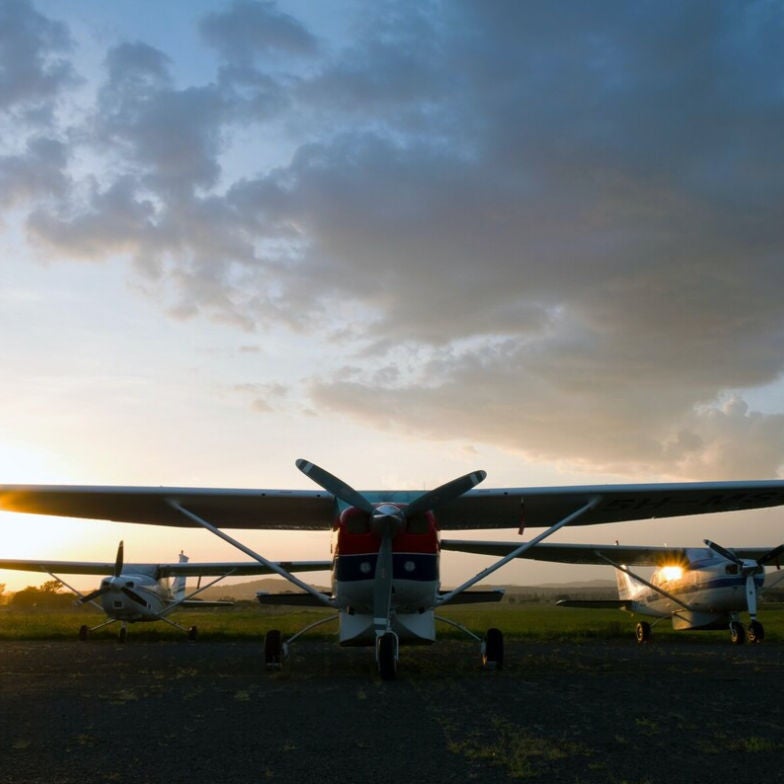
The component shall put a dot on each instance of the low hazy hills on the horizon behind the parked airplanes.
(592, 589)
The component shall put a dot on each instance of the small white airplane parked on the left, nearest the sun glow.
(142, 592)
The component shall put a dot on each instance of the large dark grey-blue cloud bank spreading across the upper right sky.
(559, 233)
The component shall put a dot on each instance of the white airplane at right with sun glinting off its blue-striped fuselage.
(697, 588)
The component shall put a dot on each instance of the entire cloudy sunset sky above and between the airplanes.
(404, 240)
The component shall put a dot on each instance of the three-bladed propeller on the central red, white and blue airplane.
(387, 520)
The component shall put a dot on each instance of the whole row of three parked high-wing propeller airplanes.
(386, 547)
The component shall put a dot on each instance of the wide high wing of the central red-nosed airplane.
(534, 507)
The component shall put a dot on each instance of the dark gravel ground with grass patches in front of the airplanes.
(558, 712)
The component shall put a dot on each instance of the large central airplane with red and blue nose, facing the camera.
(385, 546)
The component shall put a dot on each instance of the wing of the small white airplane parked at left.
(190, 569)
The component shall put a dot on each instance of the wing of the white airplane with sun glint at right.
(590, 553)
